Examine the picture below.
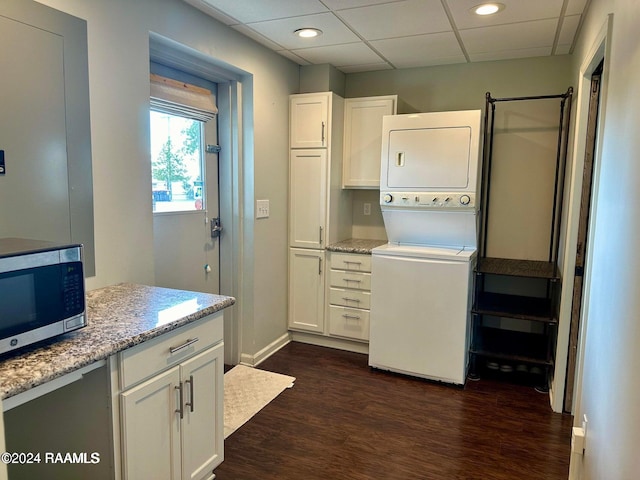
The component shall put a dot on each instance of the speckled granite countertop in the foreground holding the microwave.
(119, 317)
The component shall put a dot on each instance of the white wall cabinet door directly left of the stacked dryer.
(363, 140)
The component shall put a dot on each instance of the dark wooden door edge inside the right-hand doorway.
(583, 222)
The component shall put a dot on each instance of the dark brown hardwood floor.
(343, 420)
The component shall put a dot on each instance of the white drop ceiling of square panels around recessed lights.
(366, 35)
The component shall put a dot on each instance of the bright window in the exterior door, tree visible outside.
(176, 163)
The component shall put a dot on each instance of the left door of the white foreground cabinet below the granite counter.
(151, 429)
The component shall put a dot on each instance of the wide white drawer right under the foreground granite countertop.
(145, 360)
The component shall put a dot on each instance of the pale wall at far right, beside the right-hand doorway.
(610, 393)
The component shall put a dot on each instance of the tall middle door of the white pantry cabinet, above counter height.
(308, 198)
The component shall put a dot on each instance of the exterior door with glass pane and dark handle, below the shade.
(186, 256)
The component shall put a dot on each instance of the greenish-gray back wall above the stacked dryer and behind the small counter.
(452, 87)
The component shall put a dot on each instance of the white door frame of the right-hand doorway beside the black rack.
(600, 50)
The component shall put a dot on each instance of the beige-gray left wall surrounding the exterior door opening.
(118, 37)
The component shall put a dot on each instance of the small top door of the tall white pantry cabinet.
(309, 121)
